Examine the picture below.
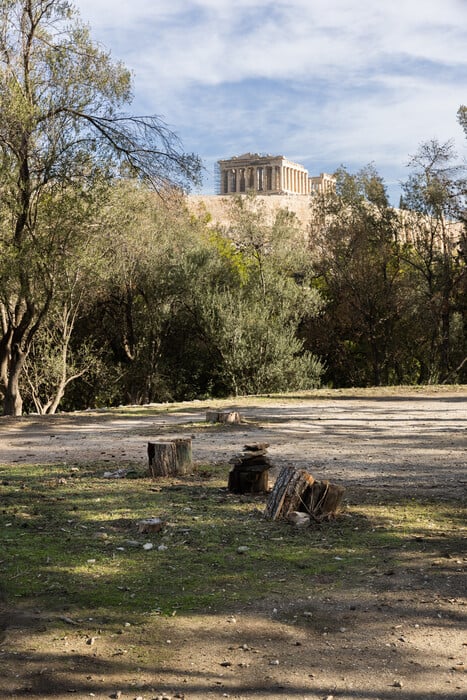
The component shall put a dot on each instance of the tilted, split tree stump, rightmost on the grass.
(297, 490)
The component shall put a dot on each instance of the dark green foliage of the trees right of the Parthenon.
(392, 280)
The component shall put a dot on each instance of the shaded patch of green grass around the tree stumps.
(67, 543)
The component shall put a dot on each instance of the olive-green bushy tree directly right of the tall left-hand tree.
(135, 312)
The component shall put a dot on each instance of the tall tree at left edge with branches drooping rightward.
(61, 129)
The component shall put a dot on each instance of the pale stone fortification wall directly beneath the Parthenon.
(219, 208)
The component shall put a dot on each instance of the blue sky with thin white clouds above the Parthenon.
(324, 83)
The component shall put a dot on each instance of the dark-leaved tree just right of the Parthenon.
(352, 241)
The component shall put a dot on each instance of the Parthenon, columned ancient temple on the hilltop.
(268, 175)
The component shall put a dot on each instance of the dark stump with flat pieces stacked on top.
(249, 473)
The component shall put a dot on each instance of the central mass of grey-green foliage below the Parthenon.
(185, 310)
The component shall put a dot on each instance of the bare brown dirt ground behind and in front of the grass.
(404, 636)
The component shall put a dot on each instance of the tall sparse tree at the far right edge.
(433, 197)
